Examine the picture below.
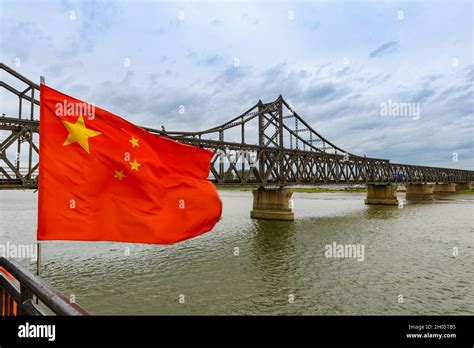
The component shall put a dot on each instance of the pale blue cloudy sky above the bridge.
(337, 62)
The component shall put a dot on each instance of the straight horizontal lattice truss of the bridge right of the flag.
(235, 163)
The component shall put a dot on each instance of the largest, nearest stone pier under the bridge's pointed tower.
(272, 204)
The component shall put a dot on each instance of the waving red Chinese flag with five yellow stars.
(102, 178)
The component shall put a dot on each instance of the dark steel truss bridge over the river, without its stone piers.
(269, 145)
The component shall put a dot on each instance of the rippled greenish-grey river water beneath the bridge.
(423, 252)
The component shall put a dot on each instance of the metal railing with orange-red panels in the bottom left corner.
(19, 287)
